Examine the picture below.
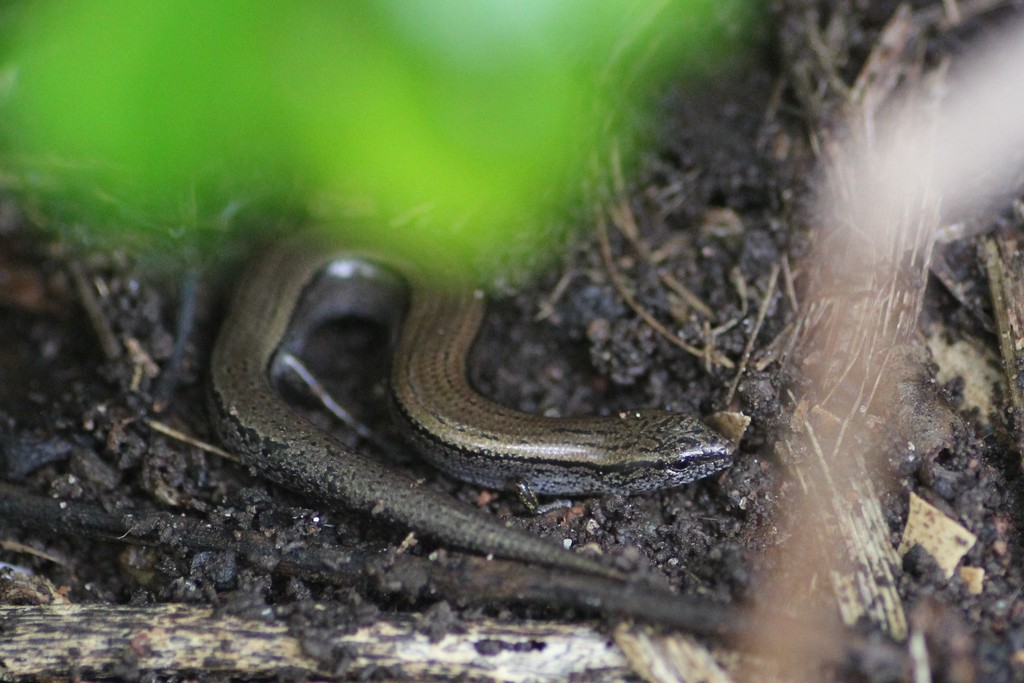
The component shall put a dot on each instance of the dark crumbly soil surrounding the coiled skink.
(718, 201)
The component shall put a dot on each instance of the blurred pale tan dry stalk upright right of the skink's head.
(944, 149)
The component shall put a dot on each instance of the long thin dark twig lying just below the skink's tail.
(461, 579)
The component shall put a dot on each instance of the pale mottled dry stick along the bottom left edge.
(178, 642)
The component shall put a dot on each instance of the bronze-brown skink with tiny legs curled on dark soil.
(301, 284)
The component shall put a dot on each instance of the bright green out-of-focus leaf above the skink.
(477, 118)
